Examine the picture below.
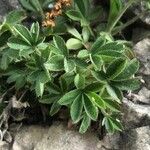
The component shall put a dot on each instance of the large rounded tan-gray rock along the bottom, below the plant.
(55, 137)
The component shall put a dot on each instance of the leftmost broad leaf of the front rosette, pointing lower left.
(69, 97)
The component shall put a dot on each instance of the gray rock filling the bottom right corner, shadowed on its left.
(136, 139)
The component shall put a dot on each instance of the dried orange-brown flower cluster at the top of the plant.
(56, 11)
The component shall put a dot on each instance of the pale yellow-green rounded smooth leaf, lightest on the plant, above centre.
(74, 44)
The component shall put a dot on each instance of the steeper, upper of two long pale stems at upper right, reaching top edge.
(130, 2)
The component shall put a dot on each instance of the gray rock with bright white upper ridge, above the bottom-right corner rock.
(135, 115)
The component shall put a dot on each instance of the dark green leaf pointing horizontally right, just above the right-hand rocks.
(130, 84)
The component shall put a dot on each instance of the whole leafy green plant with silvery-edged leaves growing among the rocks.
(66, 63)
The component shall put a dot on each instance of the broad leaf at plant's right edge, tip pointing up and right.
(131, 68)
